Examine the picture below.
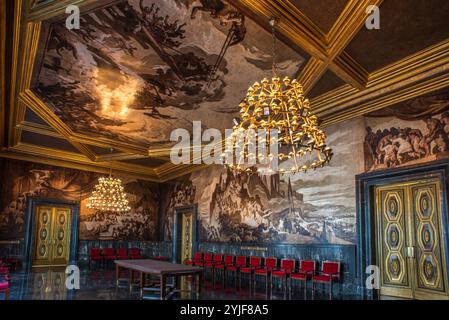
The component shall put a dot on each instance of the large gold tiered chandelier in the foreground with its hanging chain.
(277, 106)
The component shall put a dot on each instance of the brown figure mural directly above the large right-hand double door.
(413, 132)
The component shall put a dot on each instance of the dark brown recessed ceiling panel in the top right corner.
(406, 27)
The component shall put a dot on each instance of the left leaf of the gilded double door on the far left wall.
(43, 235)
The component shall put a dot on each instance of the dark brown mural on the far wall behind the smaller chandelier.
(23, 180)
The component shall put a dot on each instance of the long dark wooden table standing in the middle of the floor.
(161, 269)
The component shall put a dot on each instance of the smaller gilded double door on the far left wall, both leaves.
(52, 236)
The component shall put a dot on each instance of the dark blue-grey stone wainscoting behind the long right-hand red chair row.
(346, 254)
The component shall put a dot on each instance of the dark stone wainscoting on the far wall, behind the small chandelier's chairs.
(148, 248)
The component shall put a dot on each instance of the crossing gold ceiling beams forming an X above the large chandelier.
(324, 49)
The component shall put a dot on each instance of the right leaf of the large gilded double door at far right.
(426, 212)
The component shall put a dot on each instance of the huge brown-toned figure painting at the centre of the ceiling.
(138, 69)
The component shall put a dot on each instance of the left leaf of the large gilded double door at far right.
(392, 242)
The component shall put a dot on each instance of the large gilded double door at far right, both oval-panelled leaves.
(410, 250)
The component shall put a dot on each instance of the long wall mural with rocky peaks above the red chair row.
(318, 207)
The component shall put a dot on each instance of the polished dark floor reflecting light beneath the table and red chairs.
(49, 284)
